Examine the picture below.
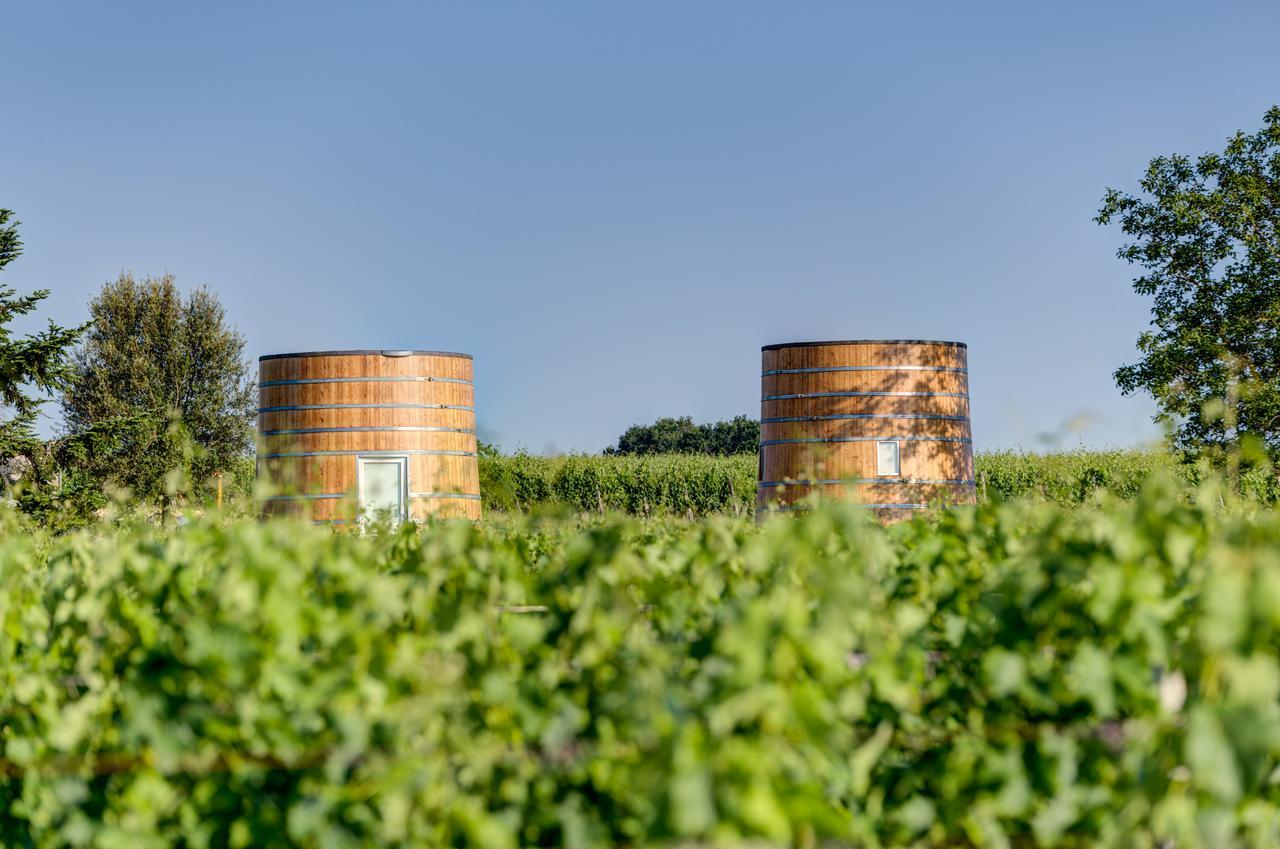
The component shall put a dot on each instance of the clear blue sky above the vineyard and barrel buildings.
(614, 206)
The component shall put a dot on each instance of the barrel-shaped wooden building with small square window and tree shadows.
(884, 423)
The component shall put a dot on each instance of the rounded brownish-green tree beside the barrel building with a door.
(153, 352)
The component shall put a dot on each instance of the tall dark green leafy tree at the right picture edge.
(1206, 234)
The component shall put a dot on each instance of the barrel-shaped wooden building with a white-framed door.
(354, 436)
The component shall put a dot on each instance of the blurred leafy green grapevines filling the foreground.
(1021, 674)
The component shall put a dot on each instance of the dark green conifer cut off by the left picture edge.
(30, 368)
